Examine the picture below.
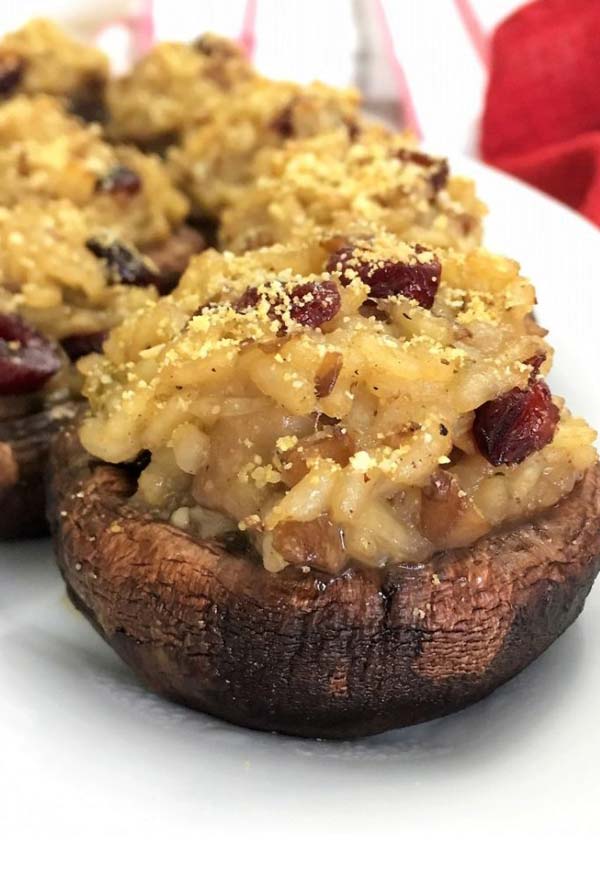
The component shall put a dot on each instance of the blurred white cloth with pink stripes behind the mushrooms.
(342, 42)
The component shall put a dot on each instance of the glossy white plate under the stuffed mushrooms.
(92, 762)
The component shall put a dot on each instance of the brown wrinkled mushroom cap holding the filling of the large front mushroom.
(302, 653)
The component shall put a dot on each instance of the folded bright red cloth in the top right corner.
(542, 114)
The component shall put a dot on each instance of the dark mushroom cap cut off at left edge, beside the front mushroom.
(24, 441)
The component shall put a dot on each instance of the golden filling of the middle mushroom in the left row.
(47, 154)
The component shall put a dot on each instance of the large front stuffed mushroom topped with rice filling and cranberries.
(325, 489)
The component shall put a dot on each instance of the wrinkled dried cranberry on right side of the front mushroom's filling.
(507, 430)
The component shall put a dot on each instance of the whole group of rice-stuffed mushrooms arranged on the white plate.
(306, 472)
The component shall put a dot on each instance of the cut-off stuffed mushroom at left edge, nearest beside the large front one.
(63, 285)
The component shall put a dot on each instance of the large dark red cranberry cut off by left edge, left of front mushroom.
(27, 359)
